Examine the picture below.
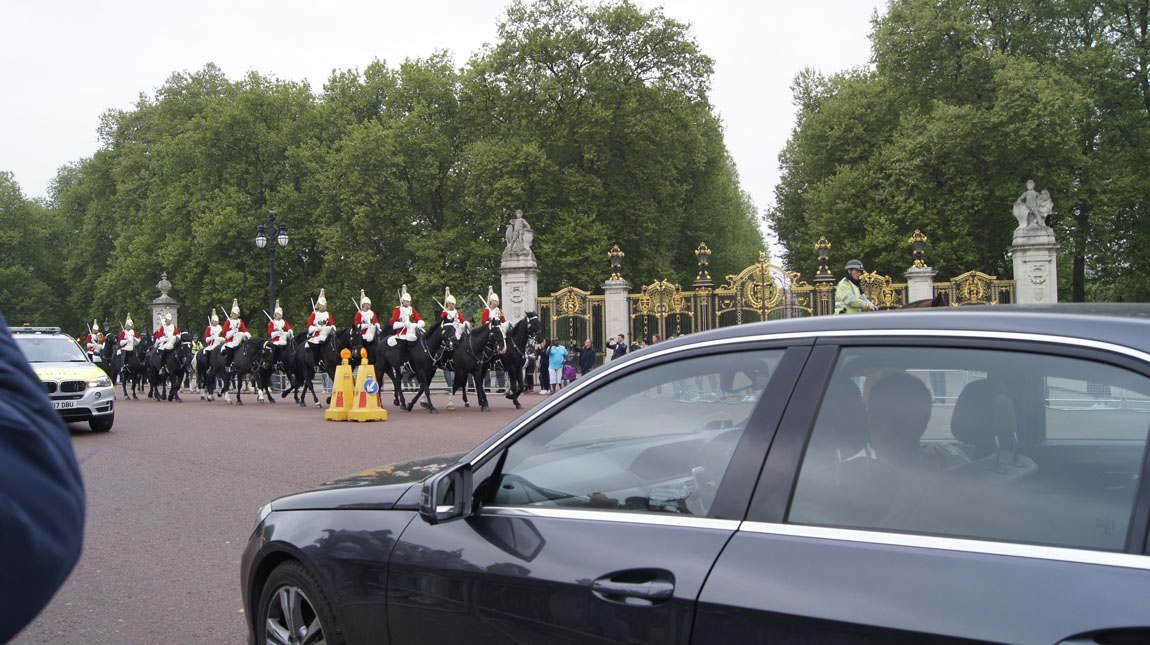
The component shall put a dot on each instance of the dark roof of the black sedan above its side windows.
(1128, 325)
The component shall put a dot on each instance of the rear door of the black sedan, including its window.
(947, 490)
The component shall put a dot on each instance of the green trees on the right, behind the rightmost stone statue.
(964, 103)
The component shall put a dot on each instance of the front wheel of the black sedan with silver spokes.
(294, 611)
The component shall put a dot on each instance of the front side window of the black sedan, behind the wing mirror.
(658, 441)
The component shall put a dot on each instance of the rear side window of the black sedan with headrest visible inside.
(970, 443)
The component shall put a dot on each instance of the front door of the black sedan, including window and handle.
(601, 521)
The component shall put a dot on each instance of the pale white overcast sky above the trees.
(67, 63)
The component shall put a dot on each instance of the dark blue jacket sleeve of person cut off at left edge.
(42, 495)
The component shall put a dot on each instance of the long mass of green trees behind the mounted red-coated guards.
(594, 121)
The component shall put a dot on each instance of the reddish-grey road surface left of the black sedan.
(173, 493)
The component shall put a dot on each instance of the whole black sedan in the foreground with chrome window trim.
(937, 475)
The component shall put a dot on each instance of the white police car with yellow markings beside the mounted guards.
(79, 389)
